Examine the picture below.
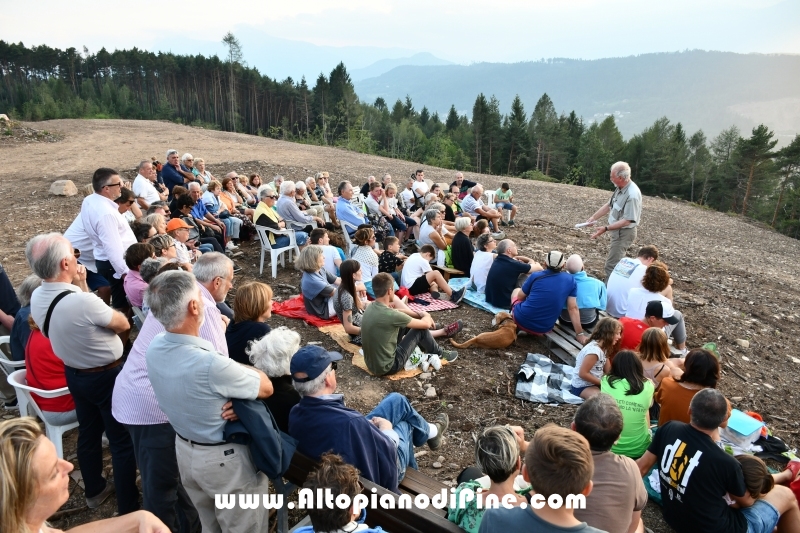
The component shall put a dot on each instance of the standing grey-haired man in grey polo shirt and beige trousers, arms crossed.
(193, 384)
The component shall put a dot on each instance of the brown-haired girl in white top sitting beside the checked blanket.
(592, 362)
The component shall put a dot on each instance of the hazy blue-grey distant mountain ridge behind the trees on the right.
(702, 90)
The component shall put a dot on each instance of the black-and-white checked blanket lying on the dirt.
(541, 380)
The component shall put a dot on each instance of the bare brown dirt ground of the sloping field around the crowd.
(733, 279)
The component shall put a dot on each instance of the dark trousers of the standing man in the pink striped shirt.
(162, 491)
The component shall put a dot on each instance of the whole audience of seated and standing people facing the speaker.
(231, 363)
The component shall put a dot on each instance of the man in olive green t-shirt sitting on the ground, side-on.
(389, 336)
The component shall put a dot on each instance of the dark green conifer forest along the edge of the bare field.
(736, 171)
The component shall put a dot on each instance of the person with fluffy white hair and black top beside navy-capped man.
(272, 354)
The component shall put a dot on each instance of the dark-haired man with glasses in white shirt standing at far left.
(109, 232)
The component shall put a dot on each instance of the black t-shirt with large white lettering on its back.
(695, 475)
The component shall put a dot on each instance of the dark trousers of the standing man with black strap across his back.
(92, 393)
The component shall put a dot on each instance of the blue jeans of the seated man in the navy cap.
(412, 429)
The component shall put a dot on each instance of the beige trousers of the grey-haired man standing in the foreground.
(224, 469)
